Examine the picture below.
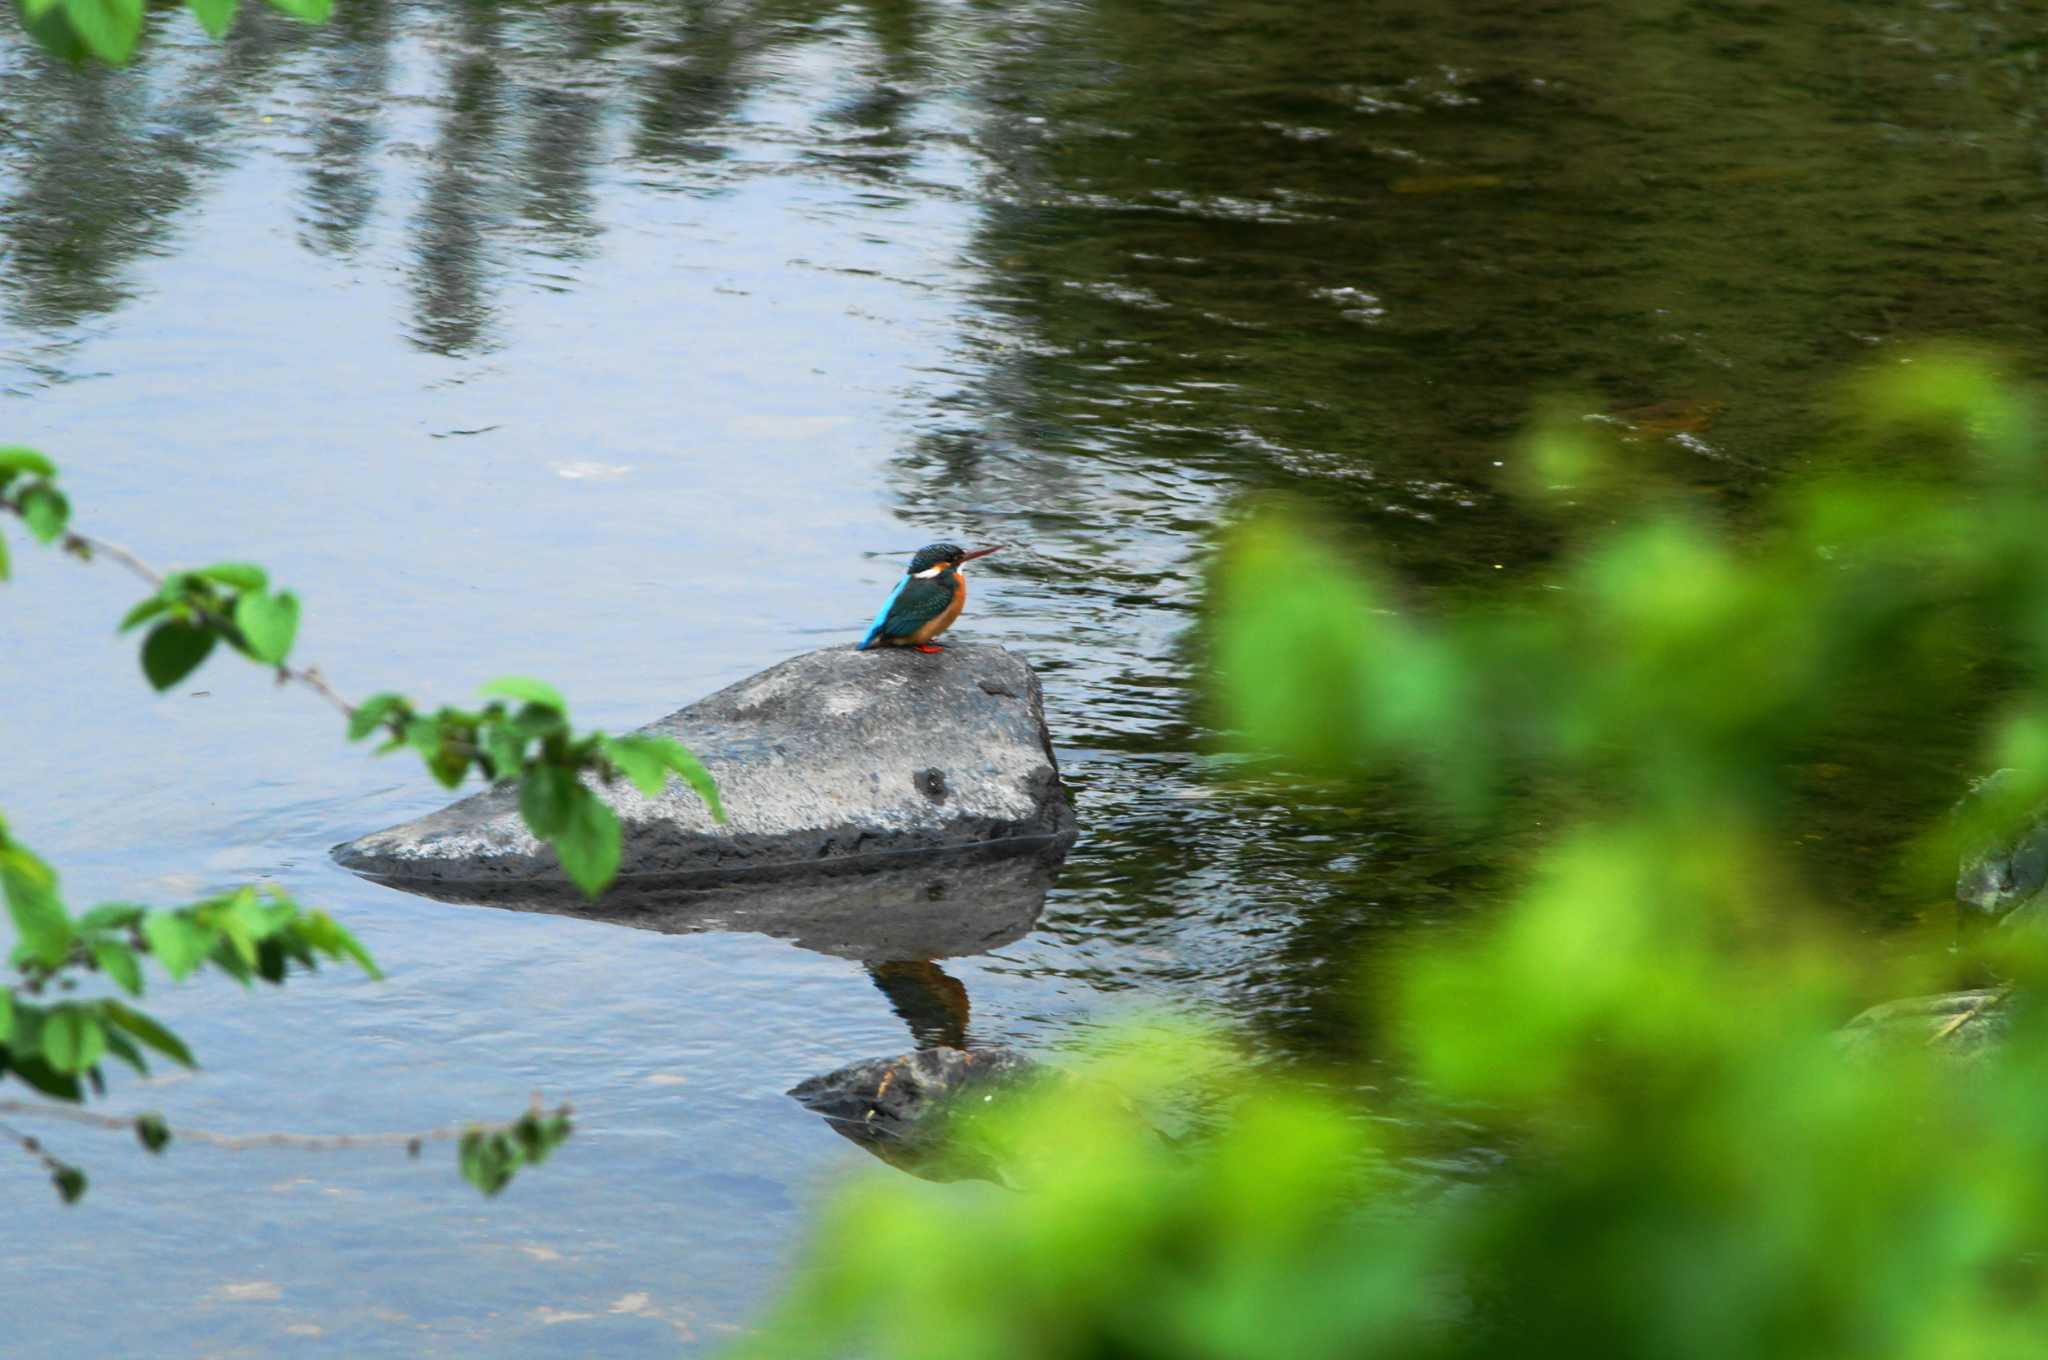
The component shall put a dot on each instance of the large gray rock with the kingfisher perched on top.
(830, 759)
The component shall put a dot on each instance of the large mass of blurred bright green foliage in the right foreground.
(1697, 1162)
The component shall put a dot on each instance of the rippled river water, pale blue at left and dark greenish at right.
(624, 345)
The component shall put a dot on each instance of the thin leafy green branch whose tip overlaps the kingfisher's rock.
(521, 736)
